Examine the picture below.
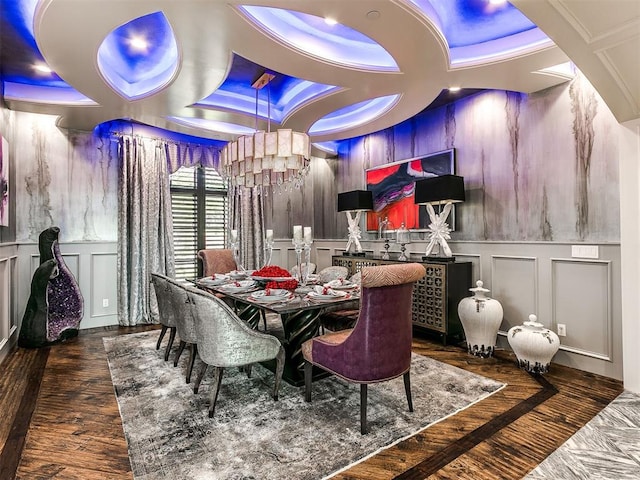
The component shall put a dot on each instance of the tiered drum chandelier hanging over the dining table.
(266, 158)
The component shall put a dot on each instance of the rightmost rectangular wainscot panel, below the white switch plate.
(581, 299)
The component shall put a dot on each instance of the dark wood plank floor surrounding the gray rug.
(60, 419)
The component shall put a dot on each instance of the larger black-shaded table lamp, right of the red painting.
(443, 190)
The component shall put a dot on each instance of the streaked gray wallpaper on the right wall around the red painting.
(539, 167)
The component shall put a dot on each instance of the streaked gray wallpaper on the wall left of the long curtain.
(63, 178)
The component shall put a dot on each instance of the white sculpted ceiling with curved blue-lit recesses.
(341, 68)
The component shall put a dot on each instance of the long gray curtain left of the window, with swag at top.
(145, 227)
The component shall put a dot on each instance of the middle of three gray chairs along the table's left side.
(185, 325)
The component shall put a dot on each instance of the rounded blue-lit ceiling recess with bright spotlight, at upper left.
(135, 71)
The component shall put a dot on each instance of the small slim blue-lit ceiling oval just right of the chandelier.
(353, 115)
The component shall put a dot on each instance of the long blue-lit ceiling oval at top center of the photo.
(336, 44)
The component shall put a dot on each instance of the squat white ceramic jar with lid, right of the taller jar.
(534, 345)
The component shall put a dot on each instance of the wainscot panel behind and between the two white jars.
(515, 284)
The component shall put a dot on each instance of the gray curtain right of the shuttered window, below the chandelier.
(247, 216)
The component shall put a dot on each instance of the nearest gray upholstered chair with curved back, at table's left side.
(224, 341)
